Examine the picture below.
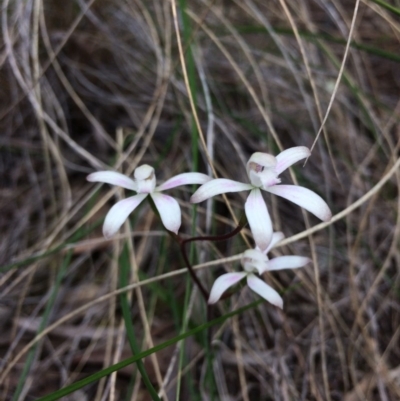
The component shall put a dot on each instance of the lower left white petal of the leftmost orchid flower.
(119, 213)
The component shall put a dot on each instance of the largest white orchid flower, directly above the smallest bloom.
(263, 171)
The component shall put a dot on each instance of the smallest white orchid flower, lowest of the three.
(256, 261)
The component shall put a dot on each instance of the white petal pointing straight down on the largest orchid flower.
(258, 218)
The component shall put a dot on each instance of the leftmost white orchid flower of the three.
(144, 183)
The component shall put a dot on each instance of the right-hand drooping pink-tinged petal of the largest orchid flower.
(305, 198)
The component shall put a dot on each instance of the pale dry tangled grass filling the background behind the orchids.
(103, 84)
